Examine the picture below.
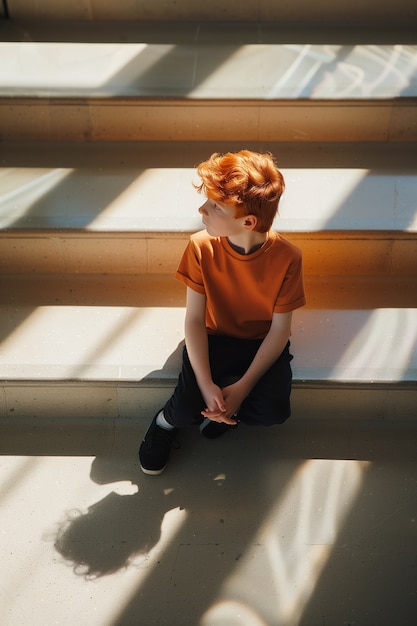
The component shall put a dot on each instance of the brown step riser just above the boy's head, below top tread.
(171, 119)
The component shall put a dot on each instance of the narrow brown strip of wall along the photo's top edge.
(321, 10)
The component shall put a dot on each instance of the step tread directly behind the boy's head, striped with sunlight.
(147, 188)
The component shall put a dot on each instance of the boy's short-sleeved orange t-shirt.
(243, 291)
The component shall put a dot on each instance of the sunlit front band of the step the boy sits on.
(132, 344)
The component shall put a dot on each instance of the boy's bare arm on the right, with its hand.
(268, 352)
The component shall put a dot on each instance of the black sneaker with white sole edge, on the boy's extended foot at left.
(155, 448)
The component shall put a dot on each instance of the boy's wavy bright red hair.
(248, 181)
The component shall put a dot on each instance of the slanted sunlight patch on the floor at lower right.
(279, 572)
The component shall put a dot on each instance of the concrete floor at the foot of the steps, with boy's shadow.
(312, 523)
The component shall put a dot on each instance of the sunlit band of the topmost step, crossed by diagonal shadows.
(221, 70)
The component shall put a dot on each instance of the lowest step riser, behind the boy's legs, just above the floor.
(30, 404)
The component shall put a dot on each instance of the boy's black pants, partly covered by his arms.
(269, 401)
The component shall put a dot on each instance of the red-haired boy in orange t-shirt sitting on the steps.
(243, 282)
